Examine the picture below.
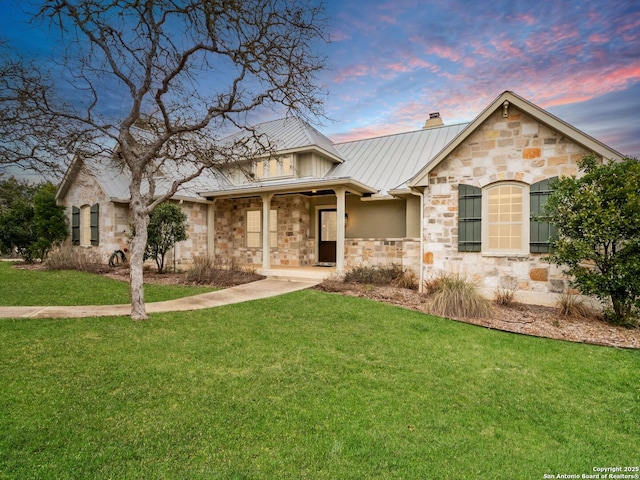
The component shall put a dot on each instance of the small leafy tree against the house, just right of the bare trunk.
(167, 226)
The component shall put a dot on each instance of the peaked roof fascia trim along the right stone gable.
(421, 179)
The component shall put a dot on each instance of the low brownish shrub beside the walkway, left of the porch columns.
(213, 271)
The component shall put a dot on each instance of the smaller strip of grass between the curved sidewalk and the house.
(71, 287)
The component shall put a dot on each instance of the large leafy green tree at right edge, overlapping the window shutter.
(598, 220)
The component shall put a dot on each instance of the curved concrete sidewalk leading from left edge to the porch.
(269, 287)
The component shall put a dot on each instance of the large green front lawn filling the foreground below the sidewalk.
(307, 385)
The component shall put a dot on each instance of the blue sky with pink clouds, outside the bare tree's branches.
(392, 62)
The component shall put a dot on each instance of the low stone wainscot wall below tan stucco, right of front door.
(377, 251)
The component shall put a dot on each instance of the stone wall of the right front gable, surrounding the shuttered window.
(517, 148)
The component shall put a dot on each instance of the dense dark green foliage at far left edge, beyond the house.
(31, 222)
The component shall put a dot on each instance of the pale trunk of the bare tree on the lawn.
(138, 247)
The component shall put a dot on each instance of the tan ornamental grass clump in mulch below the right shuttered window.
(456, 297)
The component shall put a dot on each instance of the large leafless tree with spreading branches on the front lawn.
(161, 78)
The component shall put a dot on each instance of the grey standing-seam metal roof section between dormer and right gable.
(389, 162)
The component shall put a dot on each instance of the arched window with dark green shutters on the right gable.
(498, 218)
